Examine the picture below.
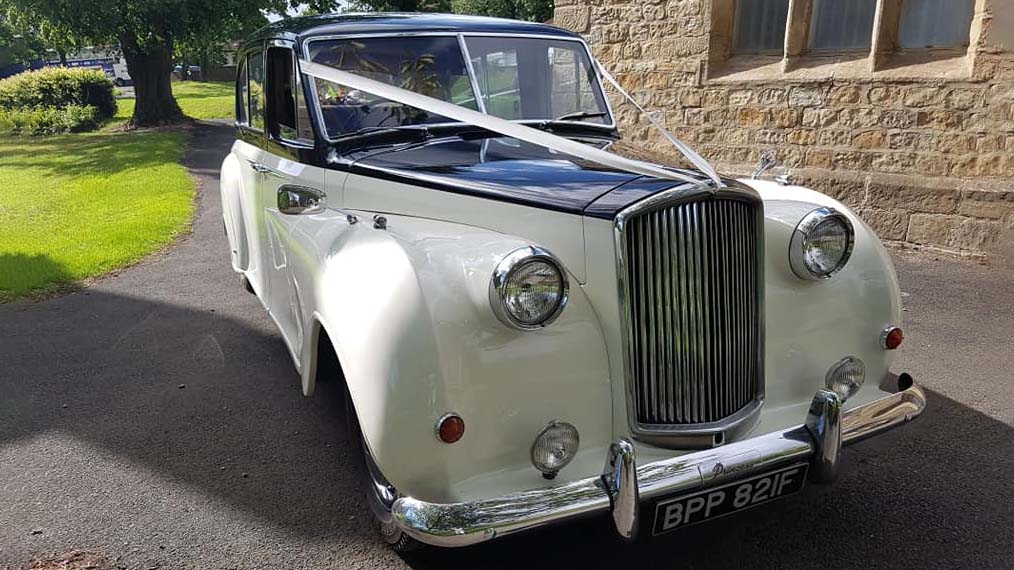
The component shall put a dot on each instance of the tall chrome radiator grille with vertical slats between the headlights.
(638, 300)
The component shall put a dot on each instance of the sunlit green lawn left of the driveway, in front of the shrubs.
(78, 206)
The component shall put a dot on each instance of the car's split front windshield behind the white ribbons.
(518, 79)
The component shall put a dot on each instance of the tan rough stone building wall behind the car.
(921, 146)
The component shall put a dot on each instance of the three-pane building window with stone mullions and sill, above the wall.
(878, 31)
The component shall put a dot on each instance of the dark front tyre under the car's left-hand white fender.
(375, 485)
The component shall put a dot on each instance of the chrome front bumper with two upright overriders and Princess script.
(624, 484)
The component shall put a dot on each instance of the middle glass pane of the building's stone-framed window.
(843, 25)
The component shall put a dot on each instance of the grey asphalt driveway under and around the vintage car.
(156, 419)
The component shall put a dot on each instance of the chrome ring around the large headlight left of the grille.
(508, 268)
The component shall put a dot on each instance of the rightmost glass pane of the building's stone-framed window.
(936, 24)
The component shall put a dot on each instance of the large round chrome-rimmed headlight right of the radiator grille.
(822, 245)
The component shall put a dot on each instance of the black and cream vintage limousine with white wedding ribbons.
(533, 326)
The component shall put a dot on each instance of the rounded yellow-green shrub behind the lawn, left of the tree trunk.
(59, 89)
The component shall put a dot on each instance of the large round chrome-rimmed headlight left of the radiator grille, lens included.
(529, 290)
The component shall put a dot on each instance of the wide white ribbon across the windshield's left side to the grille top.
(490, 123)
